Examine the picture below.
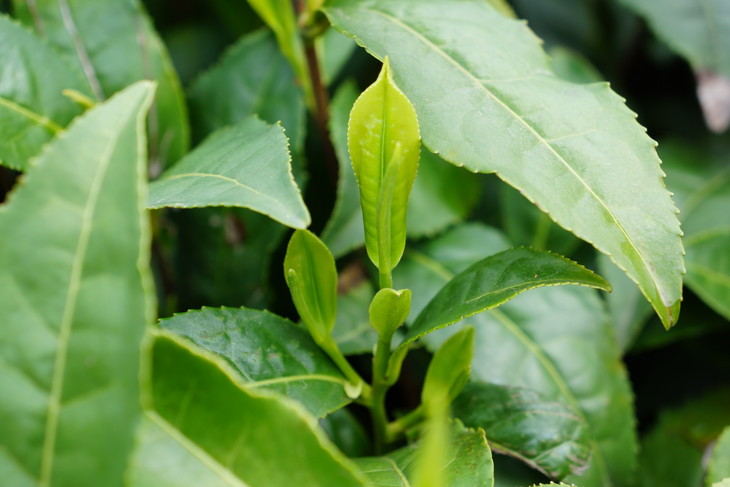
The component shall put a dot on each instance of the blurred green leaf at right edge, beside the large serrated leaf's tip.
(701, 181)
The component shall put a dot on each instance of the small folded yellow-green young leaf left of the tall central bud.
(310, 273)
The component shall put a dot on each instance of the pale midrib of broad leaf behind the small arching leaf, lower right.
(442, 271)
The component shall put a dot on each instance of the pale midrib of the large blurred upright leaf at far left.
(69, 309)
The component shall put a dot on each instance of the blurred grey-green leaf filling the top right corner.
(699, 30)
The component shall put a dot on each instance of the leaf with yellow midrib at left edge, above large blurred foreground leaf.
(32, 107)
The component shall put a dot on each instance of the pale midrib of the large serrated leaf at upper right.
(532, 130)
